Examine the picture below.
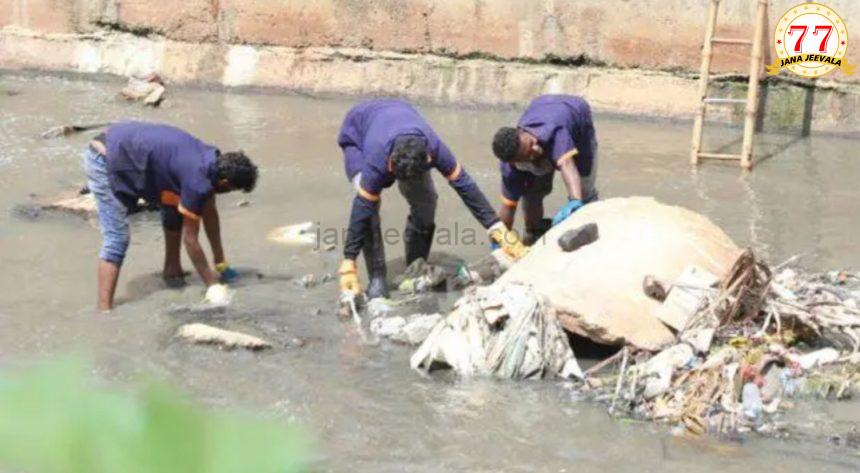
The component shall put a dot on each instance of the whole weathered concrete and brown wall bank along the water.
(484, 52)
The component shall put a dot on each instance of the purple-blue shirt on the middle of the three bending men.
(367, 138)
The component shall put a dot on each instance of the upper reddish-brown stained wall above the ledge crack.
(651, 34)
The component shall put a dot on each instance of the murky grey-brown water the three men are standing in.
(366, 409)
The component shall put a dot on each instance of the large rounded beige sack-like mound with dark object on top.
(597, 289)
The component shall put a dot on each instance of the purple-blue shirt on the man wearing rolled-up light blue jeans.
(160, 163)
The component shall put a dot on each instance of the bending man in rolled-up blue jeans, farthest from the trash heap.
(165, 165)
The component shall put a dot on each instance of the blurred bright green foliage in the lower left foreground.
(53, 419)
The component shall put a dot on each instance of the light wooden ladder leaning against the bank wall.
(751, 101)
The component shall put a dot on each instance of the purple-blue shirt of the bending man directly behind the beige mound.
(562, 124)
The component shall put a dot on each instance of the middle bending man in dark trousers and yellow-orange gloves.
(388, 141)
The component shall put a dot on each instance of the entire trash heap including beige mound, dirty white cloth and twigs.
(708, 338)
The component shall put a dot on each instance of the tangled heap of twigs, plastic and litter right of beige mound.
(770, 338)
